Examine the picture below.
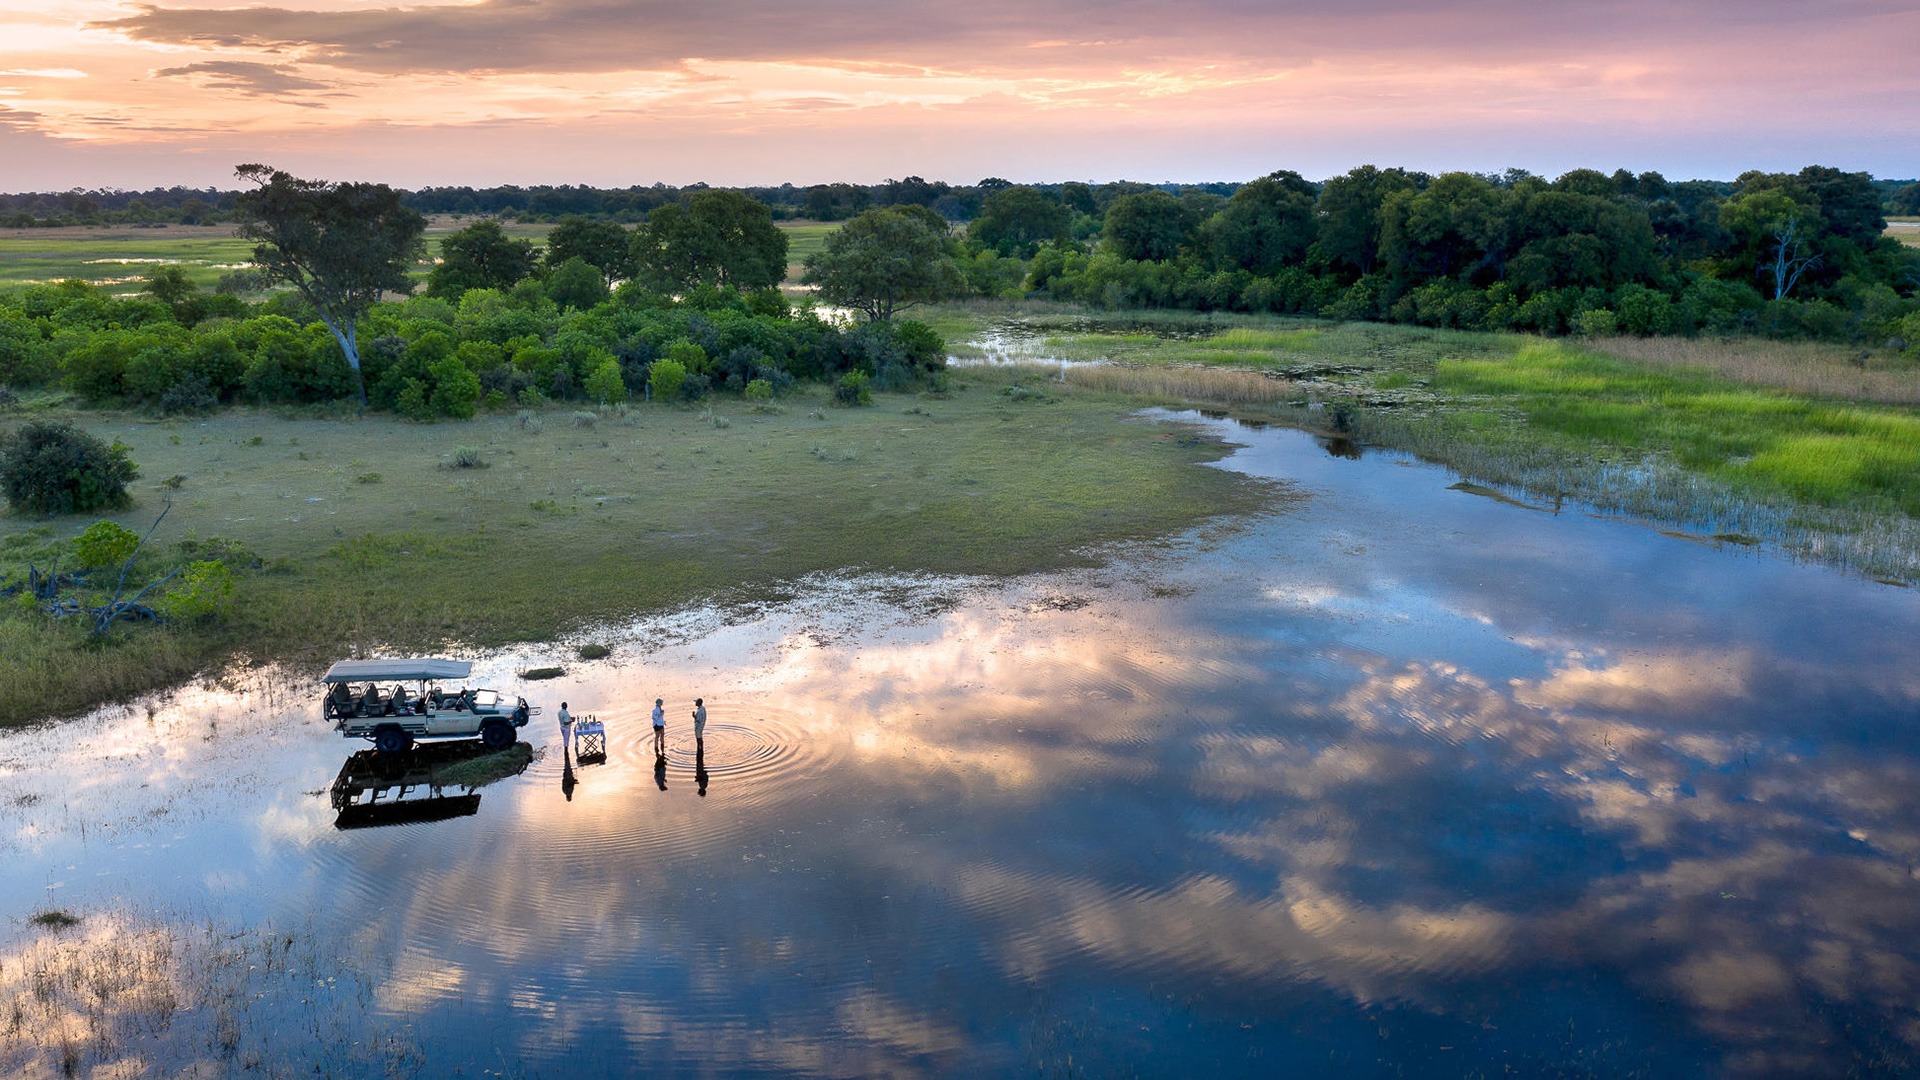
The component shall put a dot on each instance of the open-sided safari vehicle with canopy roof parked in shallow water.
(395, 702)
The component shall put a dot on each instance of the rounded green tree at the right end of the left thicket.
(886, 260)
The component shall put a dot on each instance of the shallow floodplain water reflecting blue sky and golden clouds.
(1401, 779)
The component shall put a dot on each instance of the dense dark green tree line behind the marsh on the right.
(1785, 255)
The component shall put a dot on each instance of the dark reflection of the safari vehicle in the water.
(414, 787)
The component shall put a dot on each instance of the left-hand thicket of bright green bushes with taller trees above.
(681, 308)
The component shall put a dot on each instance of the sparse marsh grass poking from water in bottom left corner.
(133, 996)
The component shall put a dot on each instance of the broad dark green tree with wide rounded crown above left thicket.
(717, 237)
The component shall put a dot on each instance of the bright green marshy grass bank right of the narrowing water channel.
(1808, 447)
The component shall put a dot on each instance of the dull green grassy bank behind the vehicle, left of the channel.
(375, 537)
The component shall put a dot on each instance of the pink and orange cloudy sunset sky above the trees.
(736, 93)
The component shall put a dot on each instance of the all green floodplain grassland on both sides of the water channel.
(377, 533)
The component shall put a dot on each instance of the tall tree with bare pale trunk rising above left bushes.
(341, 245)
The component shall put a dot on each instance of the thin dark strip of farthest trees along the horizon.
(550, 203)
